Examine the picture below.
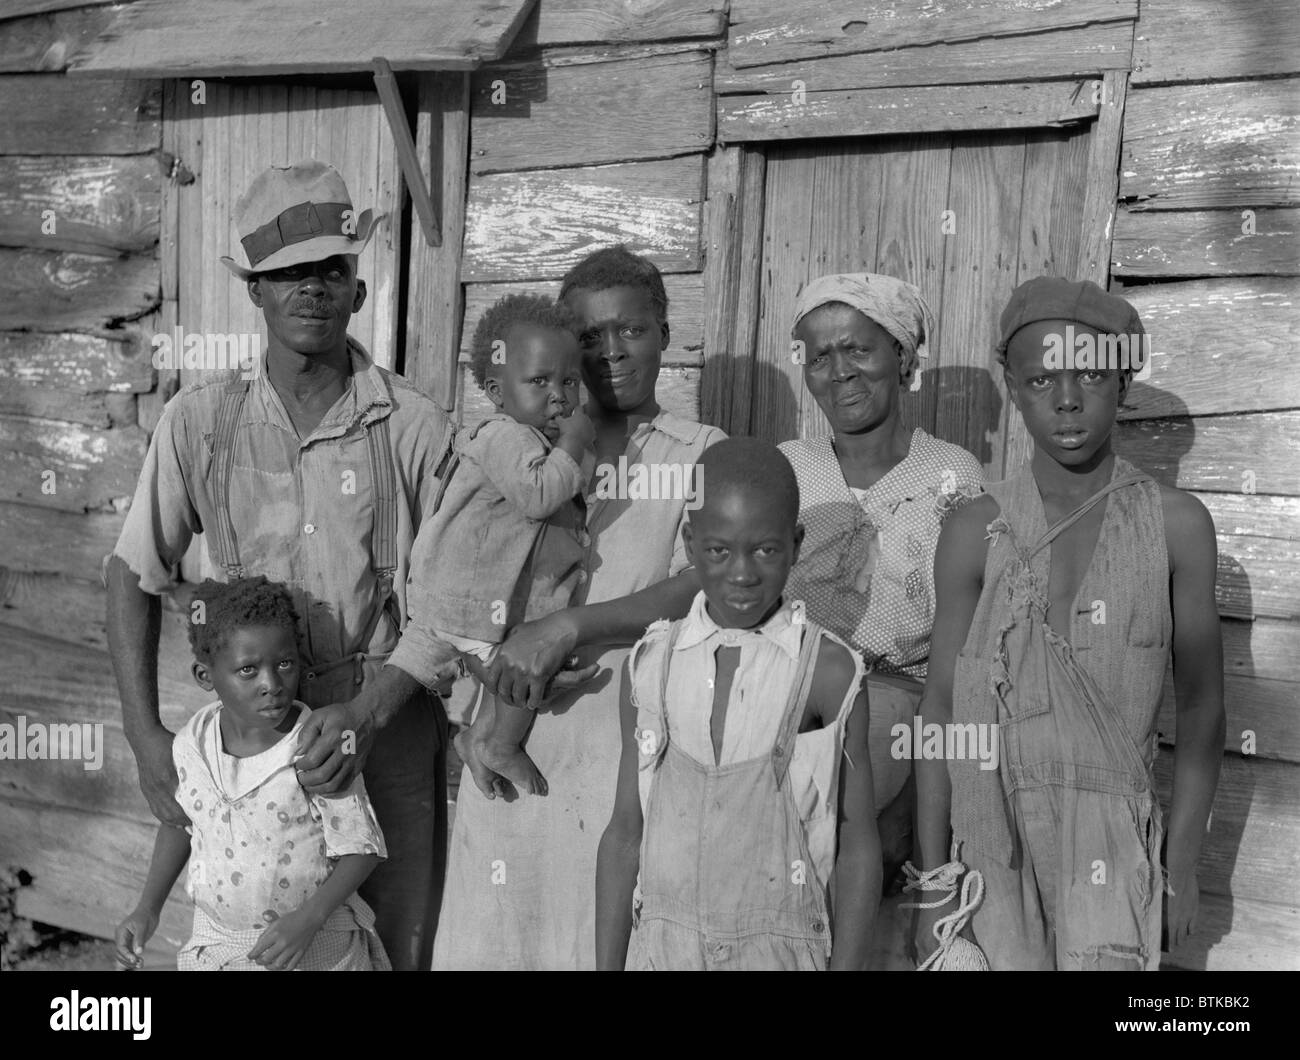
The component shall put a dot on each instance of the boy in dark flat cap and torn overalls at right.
(1061, 595)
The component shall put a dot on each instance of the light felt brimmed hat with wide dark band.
(294, 214)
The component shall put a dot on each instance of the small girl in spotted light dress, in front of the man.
(274, 872)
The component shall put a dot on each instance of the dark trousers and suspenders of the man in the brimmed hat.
(405, 773)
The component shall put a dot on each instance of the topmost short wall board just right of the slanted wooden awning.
(597, 21)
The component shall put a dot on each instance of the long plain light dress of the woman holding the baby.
(522, 876)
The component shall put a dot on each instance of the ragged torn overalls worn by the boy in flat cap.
(1068, 833)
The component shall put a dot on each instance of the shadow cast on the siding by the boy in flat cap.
(1232, 810)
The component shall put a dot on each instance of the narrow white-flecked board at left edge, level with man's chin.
(75, 364)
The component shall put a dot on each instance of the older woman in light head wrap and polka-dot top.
(873, 499)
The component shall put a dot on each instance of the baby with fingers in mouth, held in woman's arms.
(509, 540)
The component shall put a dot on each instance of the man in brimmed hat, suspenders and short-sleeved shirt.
(318, 473)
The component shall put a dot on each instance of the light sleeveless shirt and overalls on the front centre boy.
(736, 855)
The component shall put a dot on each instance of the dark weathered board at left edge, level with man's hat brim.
(62, 292)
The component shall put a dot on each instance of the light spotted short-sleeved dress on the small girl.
(261, 847)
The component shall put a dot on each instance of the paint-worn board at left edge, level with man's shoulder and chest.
(92, 468)
